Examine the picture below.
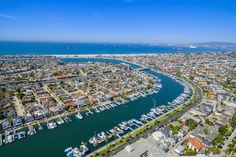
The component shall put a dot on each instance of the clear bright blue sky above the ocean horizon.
(131, 21)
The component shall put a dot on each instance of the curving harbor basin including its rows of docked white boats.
(94, 125)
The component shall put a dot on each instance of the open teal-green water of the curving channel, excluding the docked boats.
(48, 143)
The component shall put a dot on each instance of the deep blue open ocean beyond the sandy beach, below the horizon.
(43, 48)
